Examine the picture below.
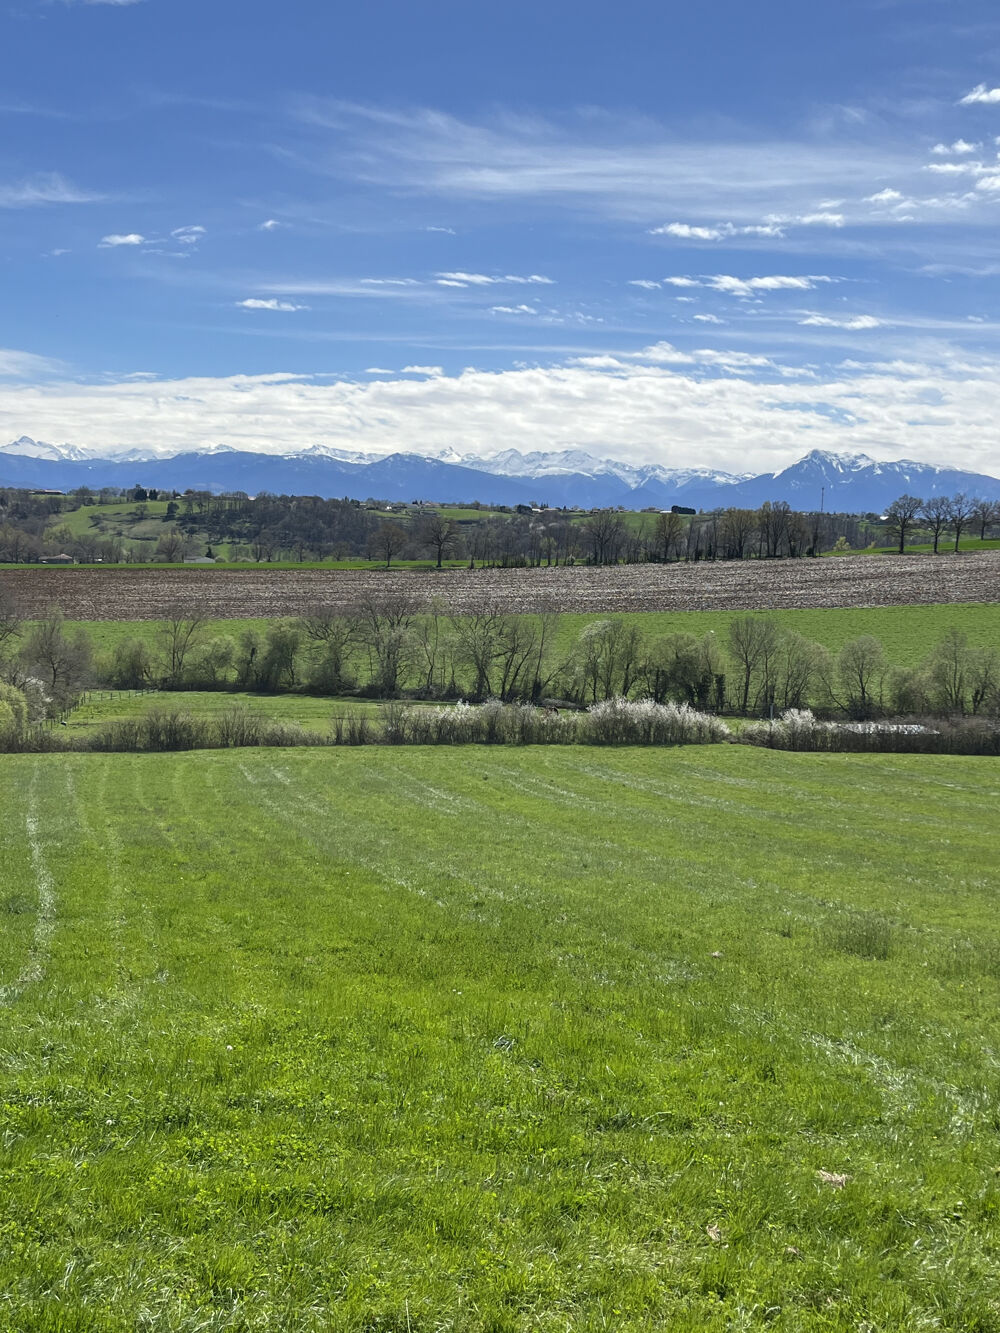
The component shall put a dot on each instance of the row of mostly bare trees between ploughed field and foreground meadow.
(395, 647)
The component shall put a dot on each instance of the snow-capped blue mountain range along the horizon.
(839, 483)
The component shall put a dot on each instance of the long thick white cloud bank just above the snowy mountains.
(701, 403)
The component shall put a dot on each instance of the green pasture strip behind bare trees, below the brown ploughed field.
(907, 633)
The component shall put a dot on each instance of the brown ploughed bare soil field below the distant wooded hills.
(86, 594)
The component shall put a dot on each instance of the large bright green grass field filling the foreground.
(499, 1040)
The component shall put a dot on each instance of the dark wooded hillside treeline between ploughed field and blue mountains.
(305, 529)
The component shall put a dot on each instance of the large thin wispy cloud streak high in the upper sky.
(623, 167)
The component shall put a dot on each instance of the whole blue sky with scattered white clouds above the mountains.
(694, 237)
